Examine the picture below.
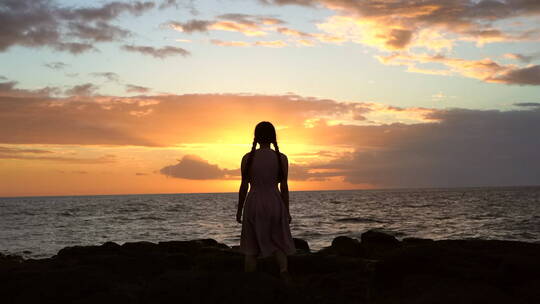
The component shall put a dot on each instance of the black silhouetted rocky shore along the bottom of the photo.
(377, 269)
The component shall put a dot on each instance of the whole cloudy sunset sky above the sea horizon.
(115, 97)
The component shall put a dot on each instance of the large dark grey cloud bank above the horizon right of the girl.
(465, 148)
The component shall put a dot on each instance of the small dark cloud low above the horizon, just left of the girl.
(194, 167)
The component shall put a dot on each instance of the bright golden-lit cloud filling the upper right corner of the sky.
(415, 28)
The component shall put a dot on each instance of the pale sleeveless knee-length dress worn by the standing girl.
(265, 225)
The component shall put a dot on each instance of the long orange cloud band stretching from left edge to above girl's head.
(161, 120)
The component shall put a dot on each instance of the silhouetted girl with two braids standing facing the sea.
(266, 218)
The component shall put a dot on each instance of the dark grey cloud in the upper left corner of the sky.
(42, 23)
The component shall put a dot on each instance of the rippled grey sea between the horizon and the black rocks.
(37, 227)
